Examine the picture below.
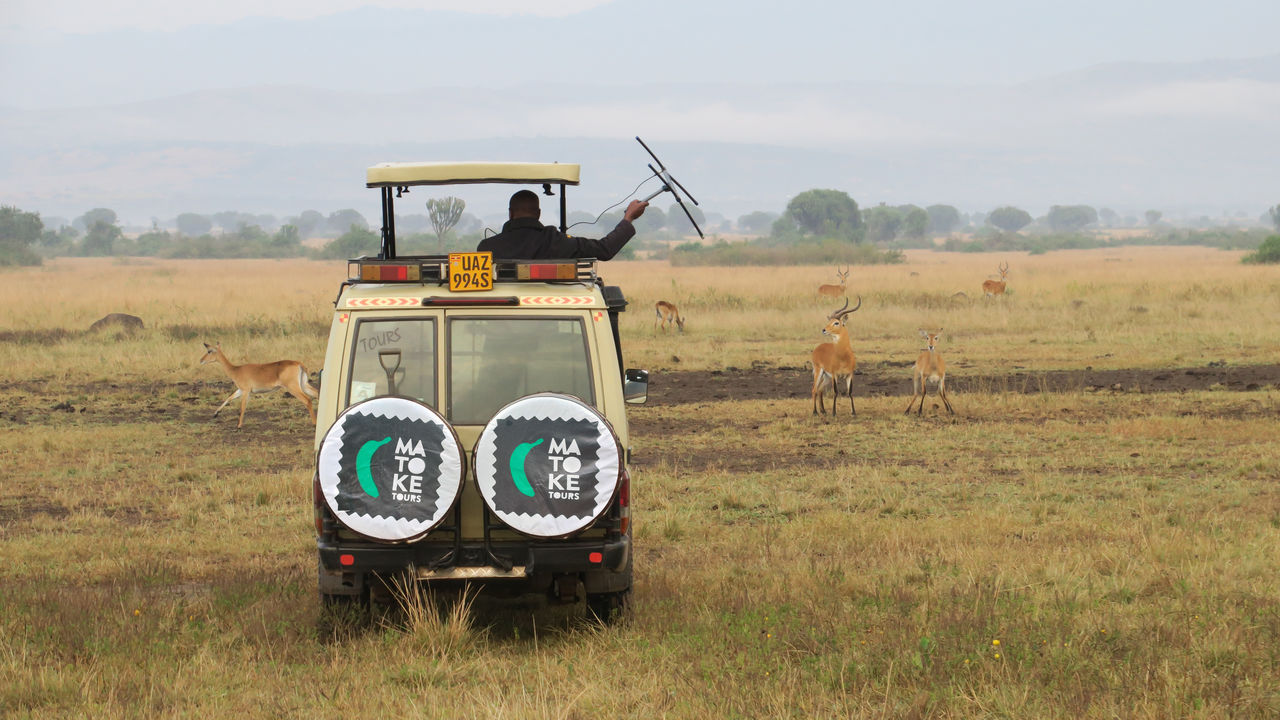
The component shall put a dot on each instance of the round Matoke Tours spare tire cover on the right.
(548, 466)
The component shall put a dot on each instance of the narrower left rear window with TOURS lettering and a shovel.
(394, 358)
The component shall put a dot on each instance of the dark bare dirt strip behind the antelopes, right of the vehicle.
(772, 384)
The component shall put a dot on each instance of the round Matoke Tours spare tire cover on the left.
(391, 468)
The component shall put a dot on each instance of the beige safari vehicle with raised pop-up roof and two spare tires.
(473, 418)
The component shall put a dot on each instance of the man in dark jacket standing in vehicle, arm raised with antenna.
(525, 238)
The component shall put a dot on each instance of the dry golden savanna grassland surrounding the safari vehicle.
(1036, 557)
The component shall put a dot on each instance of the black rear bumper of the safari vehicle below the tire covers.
(441, 562)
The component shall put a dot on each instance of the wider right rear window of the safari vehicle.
(493, 362)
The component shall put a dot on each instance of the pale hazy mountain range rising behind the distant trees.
(271, 119)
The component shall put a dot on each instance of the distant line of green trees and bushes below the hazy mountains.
(817, 226)
